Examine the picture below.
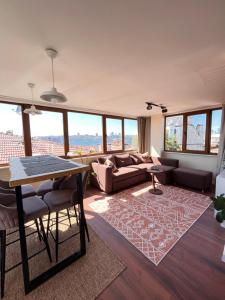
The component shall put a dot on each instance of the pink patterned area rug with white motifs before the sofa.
(152, 223)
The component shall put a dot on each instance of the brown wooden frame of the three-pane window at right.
(185, 115)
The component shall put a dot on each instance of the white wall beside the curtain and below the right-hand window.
(195, 161)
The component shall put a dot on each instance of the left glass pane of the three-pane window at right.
(174, 133)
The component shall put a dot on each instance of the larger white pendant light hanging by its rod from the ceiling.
(53, 95)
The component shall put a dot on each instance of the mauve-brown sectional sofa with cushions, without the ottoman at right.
(129, 172)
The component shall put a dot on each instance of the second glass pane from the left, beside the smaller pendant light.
(47, 133)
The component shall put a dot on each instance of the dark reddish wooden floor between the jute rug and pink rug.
(191, 270)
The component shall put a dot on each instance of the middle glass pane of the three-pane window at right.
(196, 129)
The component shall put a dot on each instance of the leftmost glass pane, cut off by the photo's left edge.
(11, 132)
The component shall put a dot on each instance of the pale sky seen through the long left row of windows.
(51, 123)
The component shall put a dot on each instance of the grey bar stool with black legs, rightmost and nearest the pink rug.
(64, 198)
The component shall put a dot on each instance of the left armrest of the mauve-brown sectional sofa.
(103, 176)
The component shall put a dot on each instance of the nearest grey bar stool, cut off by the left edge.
(34, 209)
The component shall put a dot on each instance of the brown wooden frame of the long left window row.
(27, 129)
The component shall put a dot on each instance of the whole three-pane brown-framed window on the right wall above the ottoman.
(197, 132)
